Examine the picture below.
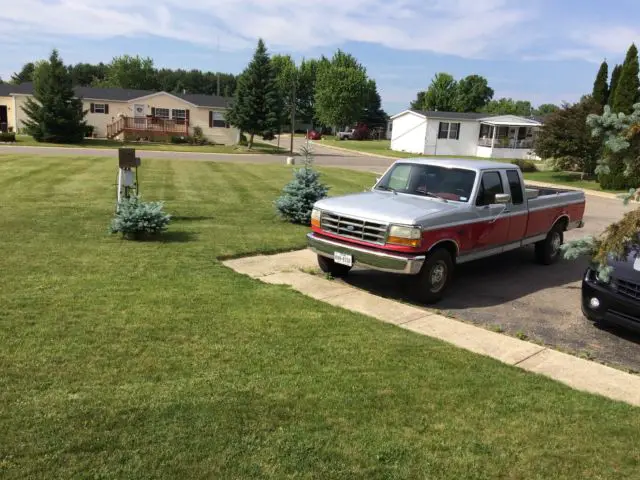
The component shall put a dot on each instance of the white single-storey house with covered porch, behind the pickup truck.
(467, 134)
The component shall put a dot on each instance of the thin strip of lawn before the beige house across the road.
(258, 147)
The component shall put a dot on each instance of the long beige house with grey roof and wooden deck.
(120, 113)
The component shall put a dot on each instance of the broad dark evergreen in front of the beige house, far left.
(56, 115)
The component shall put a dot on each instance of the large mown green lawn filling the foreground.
(153, 360)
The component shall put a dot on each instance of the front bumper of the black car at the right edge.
(614, 308)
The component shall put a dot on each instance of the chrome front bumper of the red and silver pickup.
(367, 257)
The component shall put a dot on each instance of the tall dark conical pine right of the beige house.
(256, 107)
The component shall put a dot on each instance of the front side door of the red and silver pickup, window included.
(492, 230)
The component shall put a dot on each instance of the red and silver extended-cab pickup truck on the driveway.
(425, 216)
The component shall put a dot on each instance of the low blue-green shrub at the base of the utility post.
(134, 218)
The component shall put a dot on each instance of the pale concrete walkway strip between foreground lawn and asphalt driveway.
(285, 269)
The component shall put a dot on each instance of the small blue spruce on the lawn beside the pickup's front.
(299, 195)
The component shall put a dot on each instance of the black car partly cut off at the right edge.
(616, 301)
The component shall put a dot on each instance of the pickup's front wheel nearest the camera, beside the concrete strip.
(434, 277)
